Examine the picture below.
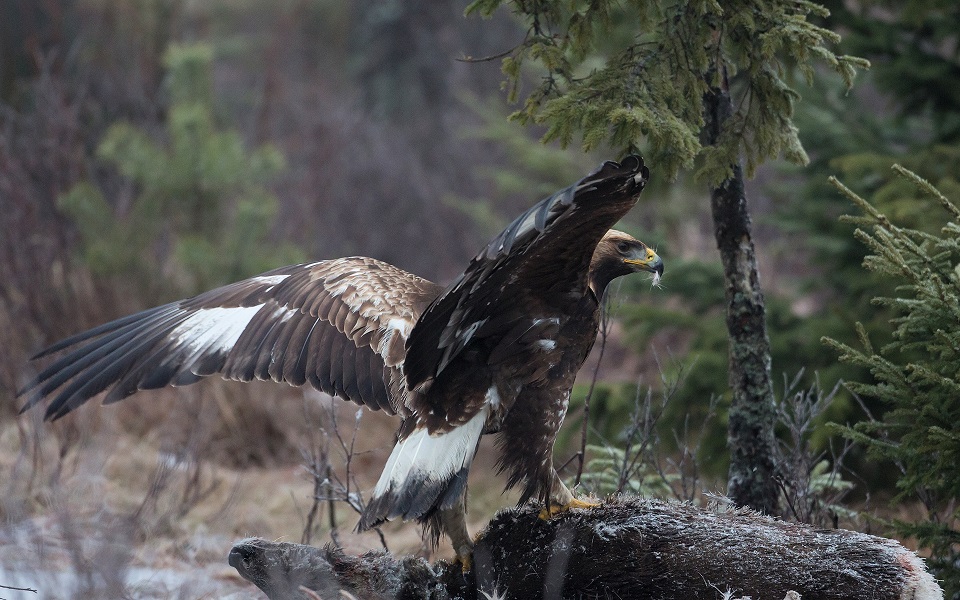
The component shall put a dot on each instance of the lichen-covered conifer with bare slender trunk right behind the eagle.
(702, 84)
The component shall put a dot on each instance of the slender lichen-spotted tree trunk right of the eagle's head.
(753, 470)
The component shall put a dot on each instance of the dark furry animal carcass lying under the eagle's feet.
(625, 548)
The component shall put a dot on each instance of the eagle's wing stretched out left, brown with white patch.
(340, 325)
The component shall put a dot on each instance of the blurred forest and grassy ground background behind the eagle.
(151, 149)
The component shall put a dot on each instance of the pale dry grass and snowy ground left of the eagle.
(144, 499)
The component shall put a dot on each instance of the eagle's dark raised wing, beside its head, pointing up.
(542, 255)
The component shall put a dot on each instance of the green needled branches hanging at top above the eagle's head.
(621, 73)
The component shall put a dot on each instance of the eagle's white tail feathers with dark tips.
(424, 473)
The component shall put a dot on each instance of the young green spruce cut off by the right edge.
(917, 372)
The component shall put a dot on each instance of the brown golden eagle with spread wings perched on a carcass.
(495, 351)
